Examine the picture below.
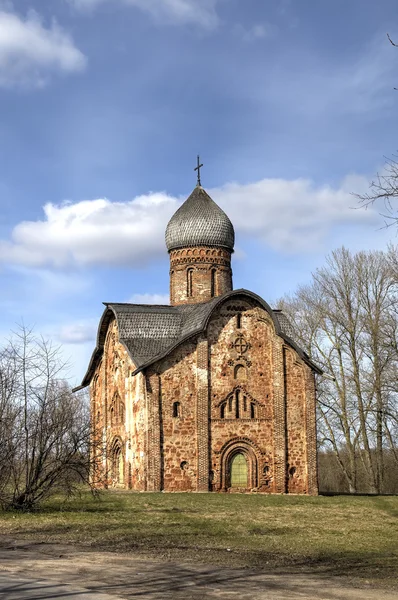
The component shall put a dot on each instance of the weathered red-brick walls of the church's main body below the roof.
(238, 388)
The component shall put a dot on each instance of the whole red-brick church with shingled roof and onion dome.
(209, 393)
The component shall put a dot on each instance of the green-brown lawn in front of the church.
(356, 537)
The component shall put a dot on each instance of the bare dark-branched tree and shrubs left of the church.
(44, 428)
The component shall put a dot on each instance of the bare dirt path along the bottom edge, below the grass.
(127, 576)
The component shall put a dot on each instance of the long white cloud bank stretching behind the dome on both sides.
(288, 216)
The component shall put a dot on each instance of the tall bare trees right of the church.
(347, 319)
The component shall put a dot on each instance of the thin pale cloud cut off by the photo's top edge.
(200, 12)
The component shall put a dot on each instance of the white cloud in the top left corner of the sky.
(30, 52)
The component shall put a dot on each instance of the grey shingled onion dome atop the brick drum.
(199, 222)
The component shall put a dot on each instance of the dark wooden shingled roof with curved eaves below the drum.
(151, 332)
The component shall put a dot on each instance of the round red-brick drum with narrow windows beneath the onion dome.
(211, 274)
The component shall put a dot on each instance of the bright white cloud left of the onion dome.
(92, 232)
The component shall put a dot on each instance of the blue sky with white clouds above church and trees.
(104, 105)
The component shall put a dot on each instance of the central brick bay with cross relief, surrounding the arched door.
(241, 371)
